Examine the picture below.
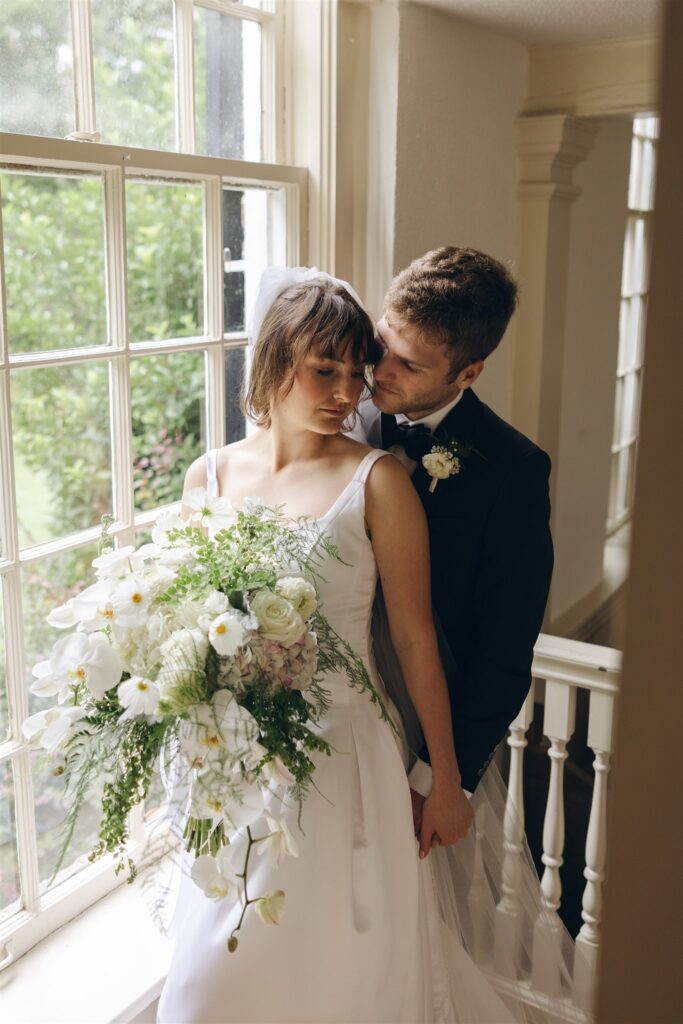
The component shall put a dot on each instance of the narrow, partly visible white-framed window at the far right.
(632, 321)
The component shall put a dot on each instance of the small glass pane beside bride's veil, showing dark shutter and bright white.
(254, 237)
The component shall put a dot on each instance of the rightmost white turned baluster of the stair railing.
(588, 941)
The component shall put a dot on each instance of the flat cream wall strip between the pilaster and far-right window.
(599, 221)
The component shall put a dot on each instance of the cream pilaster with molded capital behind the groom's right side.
(549, 149)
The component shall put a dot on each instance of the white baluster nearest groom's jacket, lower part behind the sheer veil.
(508, 934)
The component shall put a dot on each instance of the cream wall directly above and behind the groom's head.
(459, 93)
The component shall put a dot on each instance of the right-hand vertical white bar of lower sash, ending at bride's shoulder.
(214, 311)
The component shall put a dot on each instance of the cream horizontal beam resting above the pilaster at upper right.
(615, 76)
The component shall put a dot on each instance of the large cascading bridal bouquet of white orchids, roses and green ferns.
(208, 644)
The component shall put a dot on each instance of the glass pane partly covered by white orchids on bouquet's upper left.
(46, 585)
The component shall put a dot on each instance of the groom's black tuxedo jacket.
(492, 559)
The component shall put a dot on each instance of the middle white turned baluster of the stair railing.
(559, 727)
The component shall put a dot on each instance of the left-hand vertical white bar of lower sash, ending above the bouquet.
(122, 442)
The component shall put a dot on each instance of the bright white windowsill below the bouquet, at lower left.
(105, 967)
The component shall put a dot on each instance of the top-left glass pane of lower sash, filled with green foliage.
(55, 262)
